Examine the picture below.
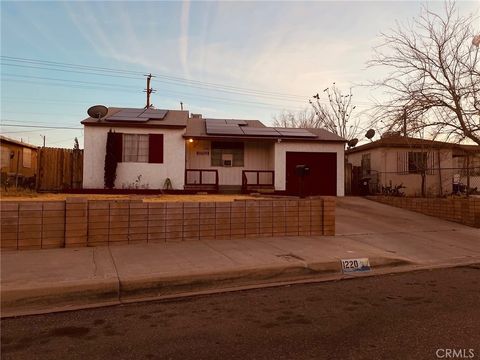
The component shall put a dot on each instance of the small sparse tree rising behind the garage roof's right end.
(336, 114)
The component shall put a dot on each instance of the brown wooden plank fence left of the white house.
(59, 169)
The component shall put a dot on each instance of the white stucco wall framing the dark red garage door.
(284, 146)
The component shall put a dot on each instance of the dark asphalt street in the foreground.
(398, 316)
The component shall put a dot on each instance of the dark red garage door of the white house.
(322, 176)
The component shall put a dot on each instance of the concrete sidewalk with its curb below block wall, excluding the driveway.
(38, 281)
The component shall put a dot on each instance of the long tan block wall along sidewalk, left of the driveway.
(78, 222)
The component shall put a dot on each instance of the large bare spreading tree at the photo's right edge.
(434, 79)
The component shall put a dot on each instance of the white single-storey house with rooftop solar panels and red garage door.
(161, 149)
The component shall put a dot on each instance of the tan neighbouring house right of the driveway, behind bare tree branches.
(397, 160)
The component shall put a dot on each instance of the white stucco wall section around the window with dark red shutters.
(153, 176)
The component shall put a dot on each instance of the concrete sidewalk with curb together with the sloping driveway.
(393, 239)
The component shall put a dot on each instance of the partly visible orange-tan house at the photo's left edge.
(18, 160)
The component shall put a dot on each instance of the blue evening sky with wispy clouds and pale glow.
(248, 60)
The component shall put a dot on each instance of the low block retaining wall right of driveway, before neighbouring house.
(462, 210)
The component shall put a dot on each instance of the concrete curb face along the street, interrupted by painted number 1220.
(87, 294)
